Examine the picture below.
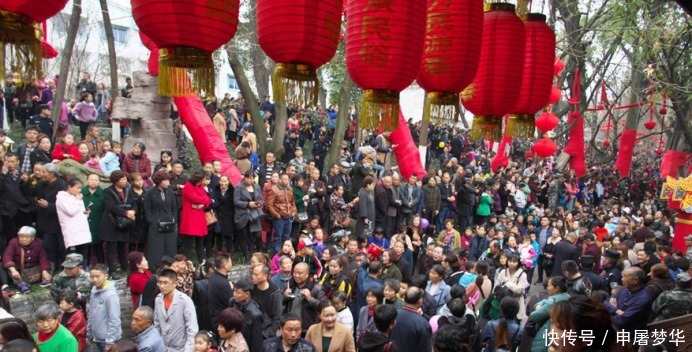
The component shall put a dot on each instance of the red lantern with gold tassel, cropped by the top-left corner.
(19, 29)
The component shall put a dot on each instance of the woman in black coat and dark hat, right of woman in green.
(118, 205)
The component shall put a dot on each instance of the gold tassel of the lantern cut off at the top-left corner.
(24, 38)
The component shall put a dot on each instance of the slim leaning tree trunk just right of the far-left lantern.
(72, 28)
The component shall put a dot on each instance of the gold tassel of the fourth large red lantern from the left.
(379, 108)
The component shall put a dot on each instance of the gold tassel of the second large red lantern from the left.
(174, 66)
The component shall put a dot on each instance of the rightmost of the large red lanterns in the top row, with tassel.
(537, 76)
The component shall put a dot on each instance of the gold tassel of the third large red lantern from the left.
(296, 84)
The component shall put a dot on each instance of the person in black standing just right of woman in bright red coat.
(225, 213)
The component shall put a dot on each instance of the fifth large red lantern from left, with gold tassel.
(450, 56)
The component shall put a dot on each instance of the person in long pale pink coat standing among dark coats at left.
(73, 217)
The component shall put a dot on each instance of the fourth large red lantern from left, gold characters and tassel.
(384, 45)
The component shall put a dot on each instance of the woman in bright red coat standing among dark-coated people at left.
(193, 223)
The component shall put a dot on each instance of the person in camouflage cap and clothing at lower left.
(72, 277)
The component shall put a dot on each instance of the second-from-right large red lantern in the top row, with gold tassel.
(495, 89)
